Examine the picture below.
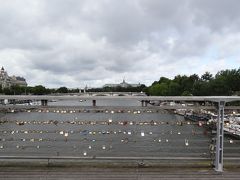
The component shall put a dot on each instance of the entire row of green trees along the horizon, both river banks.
(224, 83)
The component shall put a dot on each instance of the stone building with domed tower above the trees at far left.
(8, 81)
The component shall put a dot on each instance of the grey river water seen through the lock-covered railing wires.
(133, 133)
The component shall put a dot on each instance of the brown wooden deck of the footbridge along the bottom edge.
(70, 173)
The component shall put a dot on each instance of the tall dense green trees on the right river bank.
(224, 83)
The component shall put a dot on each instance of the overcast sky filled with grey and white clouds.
(77, 42)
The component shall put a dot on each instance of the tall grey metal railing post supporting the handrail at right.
(220, 136)
